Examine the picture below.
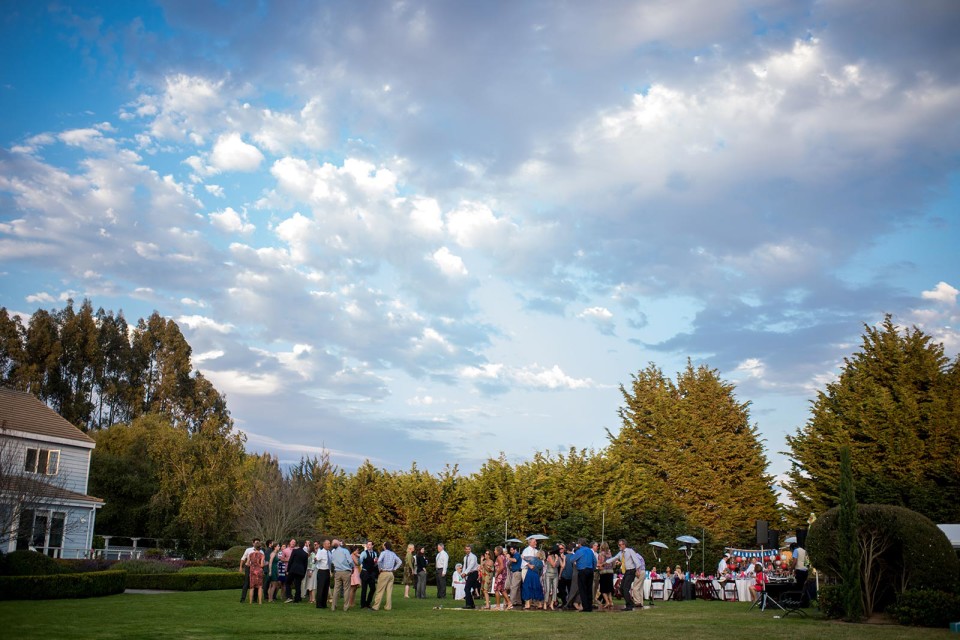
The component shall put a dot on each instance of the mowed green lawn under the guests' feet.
(218, 614)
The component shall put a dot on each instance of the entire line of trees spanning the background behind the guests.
(685, 460)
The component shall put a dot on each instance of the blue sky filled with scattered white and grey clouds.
(433, 232)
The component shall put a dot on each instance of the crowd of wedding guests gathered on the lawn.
(580, 576)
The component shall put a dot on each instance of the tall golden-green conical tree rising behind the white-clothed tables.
(684, 443)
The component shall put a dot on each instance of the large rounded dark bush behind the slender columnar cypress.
(911, 552)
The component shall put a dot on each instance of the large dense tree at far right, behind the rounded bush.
(895, 406)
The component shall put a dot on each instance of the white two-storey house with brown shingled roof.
(44, 465)
